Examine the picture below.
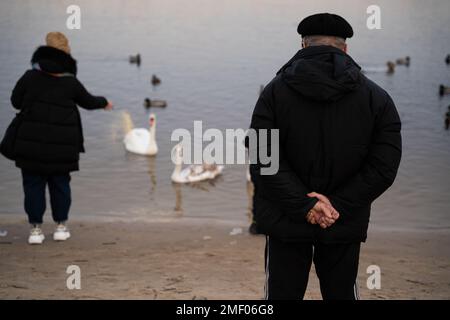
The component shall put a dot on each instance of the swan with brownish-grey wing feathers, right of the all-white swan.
(192, 173)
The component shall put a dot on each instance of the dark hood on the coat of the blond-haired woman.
(53, 60)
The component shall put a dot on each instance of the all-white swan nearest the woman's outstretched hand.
(142, 141)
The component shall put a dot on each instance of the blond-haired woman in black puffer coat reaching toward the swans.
(50, 136)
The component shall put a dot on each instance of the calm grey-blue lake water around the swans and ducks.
(212, 56)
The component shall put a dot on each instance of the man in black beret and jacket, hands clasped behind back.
(339, 149)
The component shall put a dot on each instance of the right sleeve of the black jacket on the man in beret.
(380, 167)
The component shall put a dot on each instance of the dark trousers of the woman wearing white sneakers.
(34, 189)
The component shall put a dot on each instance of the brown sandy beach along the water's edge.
(191, 259)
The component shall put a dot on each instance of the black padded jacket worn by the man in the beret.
(339, 136)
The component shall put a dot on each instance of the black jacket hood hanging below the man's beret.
(322, 73)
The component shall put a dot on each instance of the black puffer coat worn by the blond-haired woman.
(50, 137)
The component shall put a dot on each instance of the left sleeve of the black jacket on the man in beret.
(284, 187)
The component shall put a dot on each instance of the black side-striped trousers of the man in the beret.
(288, 266)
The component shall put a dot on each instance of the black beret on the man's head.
(326, 24)
